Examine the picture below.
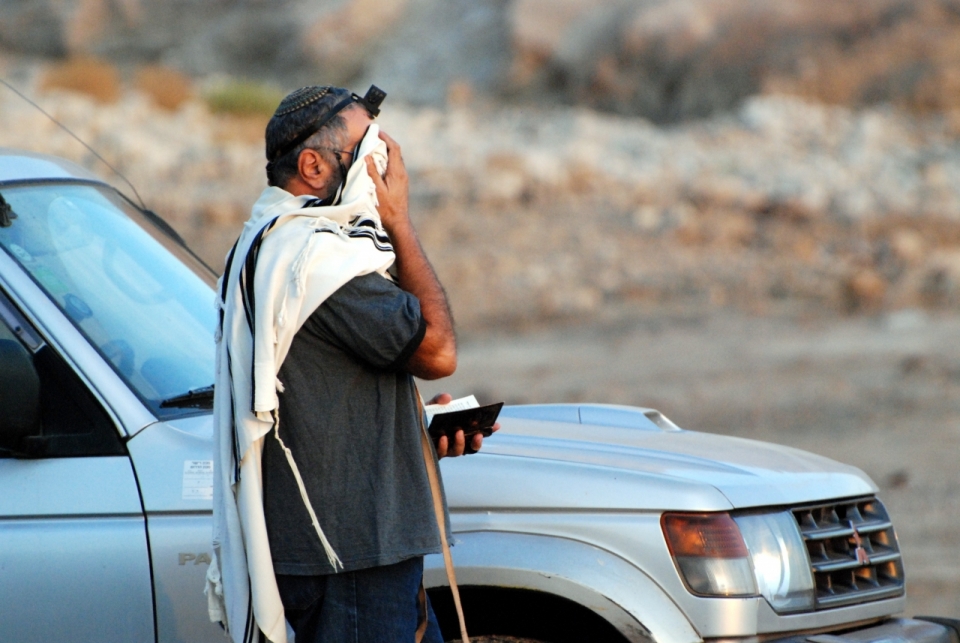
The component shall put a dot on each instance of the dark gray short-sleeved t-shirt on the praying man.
(348, 413)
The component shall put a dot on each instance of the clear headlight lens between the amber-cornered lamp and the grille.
(780, 562)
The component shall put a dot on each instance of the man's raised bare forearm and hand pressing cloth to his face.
(437, 355)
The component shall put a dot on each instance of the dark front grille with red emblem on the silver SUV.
(853, 552)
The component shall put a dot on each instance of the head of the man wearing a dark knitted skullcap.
(317, 164)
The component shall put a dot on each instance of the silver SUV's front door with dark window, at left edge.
(74, 561)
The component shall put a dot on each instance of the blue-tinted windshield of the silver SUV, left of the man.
(140, 298)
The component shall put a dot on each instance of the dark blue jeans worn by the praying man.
(375, 605)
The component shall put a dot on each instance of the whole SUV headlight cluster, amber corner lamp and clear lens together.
(749, 555)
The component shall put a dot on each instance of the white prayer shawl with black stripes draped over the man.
(304, 255)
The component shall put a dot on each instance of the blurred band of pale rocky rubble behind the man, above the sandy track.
(567, 215)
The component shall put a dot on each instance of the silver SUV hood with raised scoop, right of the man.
(568, 465)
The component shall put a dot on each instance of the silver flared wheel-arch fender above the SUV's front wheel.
(606, 584)
